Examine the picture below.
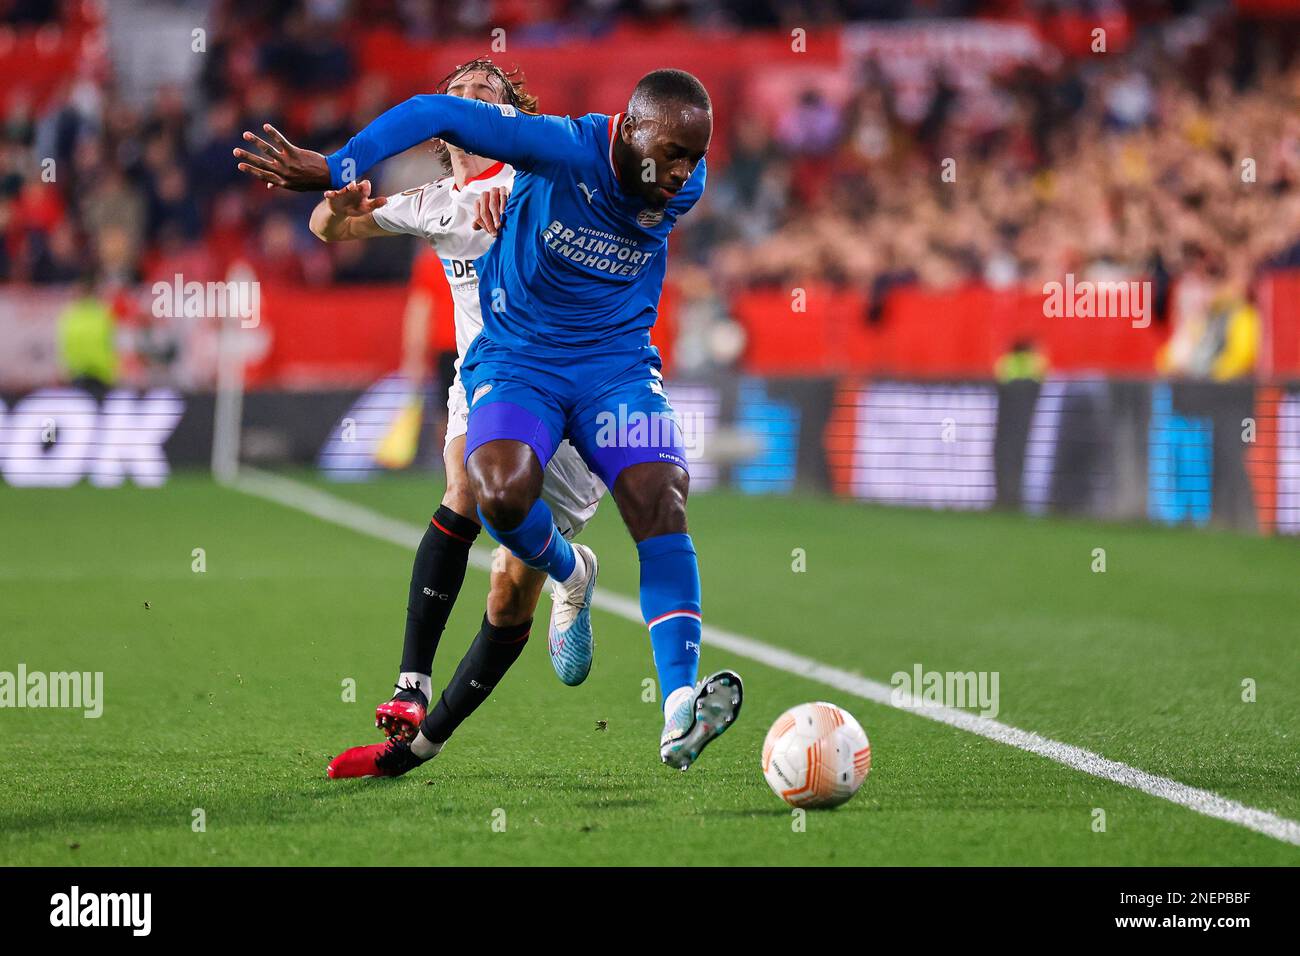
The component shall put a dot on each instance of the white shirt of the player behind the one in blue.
(443, 214)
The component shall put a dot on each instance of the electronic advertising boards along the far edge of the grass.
(1172, 453)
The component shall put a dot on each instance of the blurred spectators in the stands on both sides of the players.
(1165, 162)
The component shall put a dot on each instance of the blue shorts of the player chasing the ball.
(612, 408)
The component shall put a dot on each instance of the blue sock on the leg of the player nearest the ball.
(670, 604)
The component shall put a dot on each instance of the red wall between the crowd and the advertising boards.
(352, 335)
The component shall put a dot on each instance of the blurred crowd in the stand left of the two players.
(149, 192)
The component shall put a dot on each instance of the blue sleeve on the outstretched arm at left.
(487, 129)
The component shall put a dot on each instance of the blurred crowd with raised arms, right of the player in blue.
(1132, 170)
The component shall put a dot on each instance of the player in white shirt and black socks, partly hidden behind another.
(458, 217)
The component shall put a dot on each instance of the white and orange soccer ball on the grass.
(816, 755)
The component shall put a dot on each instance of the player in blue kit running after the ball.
(570, 292)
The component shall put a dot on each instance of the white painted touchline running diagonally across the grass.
(363, 521)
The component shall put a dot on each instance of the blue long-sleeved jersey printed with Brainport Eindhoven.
(579, 265)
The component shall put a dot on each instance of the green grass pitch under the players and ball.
(226, 690)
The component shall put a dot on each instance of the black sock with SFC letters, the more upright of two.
(436, 578)
